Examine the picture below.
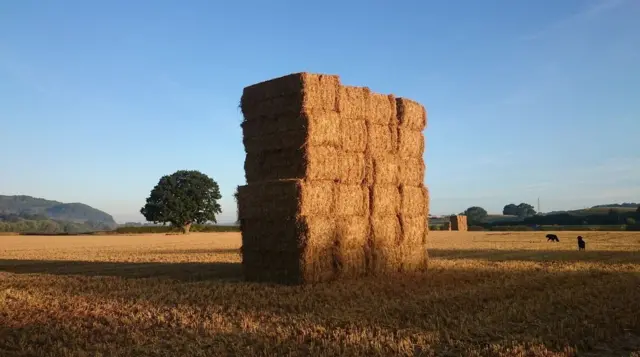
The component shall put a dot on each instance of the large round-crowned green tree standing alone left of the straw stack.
(183, 198)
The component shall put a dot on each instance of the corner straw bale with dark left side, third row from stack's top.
(310, 163)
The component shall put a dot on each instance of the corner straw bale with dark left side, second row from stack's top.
(307, 129)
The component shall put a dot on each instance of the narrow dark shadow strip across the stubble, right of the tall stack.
(602, 256)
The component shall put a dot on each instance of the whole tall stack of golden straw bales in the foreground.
(335, 181)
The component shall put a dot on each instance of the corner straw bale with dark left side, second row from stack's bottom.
(288, 233)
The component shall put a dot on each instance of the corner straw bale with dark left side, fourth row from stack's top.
(286, 199)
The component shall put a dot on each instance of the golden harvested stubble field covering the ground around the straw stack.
(486, 294)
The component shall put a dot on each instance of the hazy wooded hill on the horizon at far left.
(13, 208)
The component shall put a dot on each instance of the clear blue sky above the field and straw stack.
(526, 99)
